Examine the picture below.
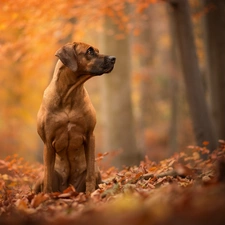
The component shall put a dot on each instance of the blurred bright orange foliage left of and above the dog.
(31, 32)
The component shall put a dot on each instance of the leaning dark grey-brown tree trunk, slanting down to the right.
(194, 87)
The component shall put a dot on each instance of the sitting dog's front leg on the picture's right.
(90, 161)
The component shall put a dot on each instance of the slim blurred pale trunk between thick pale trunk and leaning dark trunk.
(144, 49)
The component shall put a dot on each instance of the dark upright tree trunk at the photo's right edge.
(215, 45)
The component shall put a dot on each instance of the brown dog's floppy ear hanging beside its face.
(67, 56)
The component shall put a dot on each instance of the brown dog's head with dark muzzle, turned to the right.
(85, 59)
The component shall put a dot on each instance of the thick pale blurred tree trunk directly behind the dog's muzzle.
(117, 106)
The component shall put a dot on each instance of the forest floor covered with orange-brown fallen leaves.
(184, 189)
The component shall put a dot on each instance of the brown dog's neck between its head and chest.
(65, 87)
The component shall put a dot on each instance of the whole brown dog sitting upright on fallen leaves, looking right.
(66, 120)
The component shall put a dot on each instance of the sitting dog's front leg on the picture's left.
(49, 161)
